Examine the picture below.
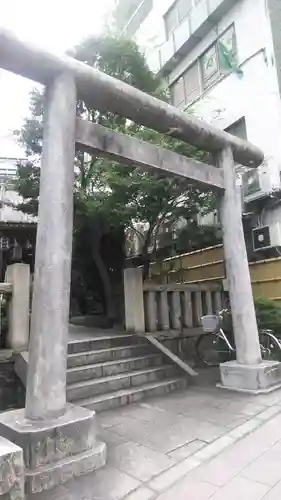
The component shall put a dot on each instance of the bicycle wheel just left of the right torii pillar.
(212, 350)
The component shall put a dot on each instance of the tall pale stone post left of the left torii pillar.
(19, 277)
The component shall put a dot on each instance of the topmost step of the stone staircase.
(103, 342)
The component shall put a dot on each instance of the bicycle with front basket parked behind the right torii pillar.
(214, 347)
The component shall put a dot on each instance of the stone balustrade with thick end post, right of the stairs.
(151, 307)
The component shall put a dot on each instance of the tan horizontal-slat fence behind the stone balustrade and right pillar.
(206, 266)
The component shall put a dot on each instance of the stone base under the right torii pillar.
(252, 379)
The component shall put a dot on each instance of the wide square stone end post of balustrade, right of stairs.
(134, 303)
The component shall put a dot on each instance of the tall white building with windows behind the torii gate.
(222, 61)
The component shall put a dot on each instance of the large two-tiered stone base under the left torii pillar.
(55, 451)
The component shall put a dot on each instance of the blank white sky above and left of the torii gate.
(53, 24)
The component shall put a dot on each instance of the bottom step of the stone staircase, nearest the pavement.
(133, 394)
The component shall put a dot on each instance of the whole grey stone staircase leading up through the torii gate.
(117, 369)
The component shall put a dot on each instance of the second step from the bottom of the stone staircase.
(90, 388)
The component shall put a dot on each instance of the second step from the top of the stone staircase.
(113, 353)
